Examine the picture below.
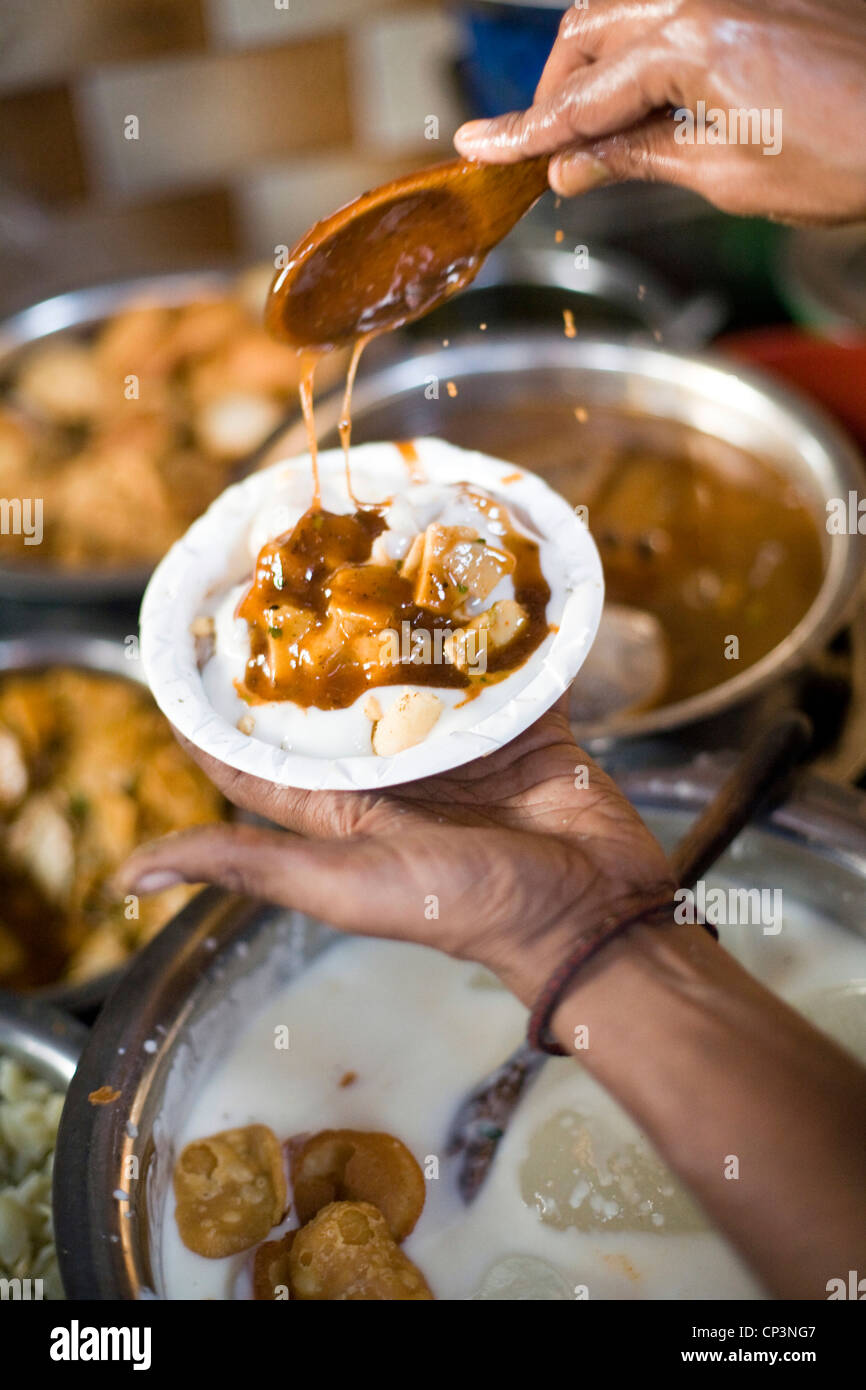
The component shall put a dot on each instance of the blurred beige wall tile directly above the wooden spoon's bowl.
(279, 204)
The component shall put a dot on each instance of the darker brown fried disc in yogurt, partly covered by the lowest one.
(358, 1167)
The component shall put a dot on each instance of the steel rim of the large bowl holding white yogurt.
(188, 993)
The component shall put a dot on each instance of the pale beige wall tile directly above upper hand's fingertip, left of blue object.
(402, 74)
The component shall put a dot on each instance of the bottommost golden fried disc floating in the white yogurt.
(347, 1254)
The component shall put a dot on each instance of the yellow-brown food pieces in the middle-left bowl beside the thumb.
(90, 769)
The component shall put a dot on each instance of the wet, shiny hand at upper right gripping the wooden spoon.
(618, 69)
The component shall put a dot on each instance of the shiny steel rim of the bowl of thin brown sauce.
(740, 408)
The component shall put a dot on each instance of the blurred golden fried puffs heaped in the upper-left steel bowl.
(129, 430)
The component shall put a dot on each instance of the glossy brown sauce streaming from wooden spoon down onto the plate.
(319, 601)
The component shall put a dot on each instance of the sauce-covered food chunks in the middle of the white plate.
(336, 600)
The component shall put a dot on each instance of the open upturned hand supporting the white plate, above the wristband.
(504, 861)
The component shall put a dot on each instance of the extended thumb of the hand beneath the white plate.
(350, 883)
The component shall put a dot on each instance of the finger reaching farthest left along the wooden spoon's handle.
(608, 97)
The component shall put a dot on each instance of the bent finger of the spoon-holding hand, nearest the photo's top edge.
(589, 34)
